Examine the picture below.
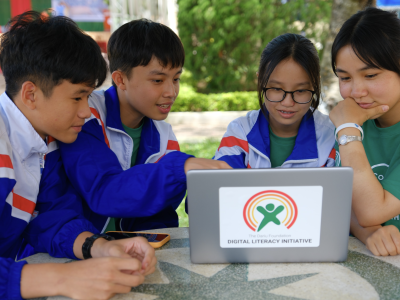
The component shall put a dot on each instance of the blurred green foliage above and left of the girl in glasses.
(223, 39)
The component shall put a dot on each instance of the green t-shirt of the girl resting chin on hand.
(382, 146)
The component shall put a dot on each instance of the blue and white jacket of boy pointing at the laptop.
(98, 165)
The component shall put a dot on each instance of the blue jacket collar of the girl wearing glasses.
(305, 147)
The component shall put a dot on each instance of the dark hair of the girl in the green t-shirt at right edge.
(374, 36)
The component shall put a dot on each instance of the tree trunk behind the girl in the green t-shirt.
(341, 11)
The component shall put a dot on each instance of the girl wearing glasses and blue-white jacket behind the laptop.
(287, 131)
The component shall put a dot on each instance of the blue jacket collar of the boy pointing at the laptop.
(150, 138)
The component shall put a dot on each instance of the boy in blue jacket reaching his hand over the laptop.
(126, 161)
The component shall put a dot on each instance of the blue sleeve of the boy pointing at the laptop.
(140, 191)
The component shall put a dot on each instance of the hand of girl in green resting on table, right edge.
(384, 241)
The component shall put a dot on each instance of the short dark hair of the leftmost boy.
(46, 51)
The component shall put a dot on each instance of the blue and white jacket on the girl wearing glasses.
(246, 143)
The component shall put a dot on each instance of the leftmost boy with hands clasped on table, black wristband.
(46, 95)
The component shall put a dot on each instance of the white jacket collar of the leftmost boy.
(23, 137)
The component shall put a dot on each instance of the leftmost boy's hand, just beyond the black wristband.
(137, 247)
